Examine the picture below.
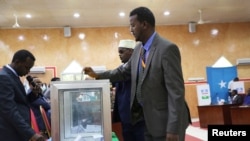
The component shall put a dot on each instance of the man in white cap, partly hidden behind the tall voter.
(121, 111)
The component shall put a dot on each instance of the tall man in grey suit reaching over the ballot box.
(157, 89)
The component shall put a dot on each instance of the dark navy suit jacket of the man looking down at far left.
(14, 108)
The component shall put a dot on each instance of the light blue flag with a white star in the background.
(218, 79)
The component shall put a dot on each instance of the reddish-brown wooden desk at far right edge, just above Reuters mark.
(240, 114)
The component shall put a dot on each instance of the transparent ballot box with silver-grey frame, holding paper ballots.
(80, 110)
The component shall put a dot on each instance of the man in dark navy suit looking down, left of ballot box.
(15, 121)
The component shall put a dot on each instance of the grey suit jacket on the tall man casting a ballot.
(163, 88)
